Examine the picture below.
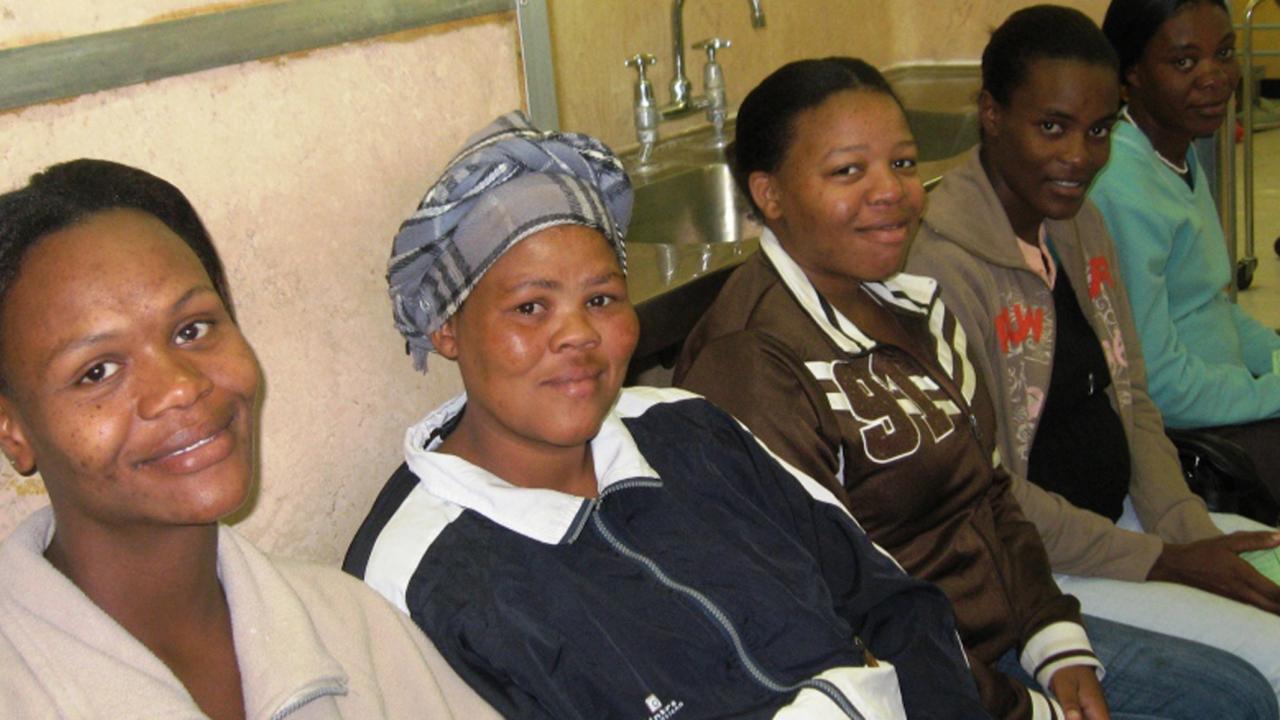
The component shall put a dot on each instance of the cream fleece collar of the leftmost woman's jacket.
(97, 669)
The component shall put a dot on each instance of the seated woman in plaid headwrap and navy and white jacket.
(577, 553)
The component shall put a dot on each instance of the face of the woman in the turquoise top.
(1181, 88)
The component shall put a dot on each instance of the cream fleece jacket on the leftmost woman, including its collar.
(312, 644)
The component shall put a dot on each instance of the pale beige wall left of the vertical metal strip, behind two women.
(303, 167)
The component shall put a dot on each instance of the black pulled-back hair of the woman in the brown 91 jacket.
(766, 121)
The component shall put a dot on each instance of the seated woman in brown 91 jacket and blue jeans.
(858, 376)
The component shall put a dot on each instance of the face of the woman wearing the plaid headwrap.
(543, 343)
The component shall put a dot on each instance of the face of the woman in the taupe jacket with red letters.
(1043, 151)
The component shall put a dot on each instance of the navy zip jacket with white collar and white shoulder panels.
(707, 581)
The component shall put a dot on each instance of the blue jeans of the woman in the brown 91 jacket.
(1150, 676)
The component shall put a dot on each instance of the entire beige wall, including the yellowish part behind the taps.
(304, 166)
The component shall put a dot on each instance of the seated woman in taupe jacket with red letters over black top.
(1028, 268)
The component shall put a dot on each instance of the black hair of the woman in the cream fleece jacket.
(68, 194)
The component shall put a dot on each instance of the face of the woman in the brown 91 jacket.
(845, 200)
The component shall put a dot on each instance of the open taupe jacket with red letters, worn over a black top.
(1008, 313)
